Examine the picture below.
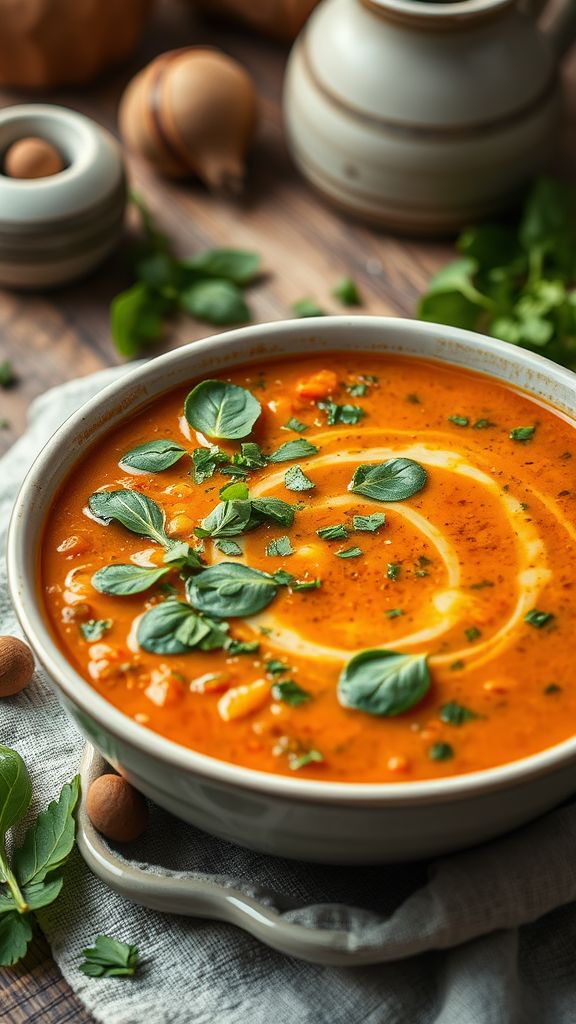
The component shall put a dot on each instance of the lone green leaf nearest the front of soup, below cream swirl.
(384, 682)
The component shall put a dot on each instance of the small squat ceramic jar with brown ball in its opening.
(59, 228)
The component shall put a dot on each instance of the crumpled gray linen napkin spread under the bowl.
(484, 937)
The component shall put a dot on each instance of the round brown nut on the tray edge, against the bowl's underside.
(116, 809)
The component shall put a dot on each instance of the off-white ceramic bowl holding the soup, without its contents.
(325, 822)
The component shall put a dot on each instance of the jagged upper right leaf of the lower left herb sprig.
(50, 840)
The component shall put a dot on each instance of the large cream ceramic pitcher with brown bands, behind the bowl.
(425, 116)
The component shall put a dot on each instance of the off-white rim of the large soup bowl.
(148, 743)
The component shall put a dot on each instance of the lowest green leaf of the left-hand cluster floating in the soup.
(174, 628)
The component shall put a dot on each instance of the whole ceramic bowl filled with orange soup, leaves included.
(310, 586)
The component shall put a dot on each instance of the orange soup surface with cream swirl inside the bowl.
(475, 571)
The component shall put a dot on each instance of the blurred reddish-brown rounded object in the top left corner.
(60, 42)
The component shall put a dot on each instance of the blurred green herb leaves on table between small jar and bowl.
(209, 287)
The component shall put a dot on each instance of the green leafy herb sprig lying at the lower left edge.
(33, 878)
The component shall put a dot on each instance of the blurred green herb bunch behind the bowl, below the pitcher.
(517, 282)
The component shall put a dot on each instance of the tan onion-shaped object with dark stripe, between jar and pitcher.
(192, 112)
